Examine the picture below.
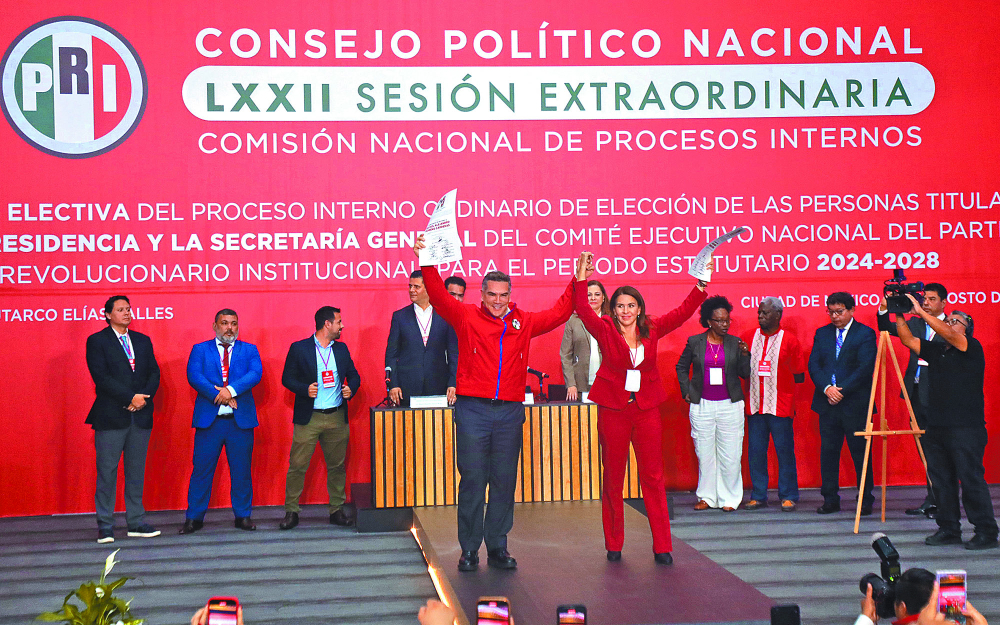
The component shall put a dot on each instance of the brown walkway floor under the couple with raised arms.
(561, 560)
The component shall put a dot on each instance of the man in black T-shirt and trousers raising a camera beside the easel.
(955, 438)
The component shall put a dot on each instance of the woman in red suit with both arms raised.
(629, 392)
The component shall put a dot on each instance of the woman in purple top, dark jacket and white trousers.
(709, 372)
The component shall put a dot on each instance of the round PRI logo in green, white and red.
(73, 87)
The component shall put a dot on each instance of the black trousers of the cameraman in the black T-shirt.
(955, 457)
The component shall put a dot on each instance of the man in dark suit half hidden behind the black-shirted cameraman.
(935, 298)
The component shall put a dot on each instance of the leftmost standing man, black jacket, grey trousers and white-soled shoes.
(126, 377)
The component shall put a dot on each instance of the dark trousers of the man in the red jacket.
(487, 449)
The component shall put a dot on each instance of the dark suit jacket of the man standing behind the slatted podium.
(415, 368)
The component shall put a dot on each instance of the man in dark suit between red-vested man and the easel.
(841, 365)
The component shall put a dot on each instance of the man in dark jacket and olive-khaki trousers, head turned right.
(320, 372)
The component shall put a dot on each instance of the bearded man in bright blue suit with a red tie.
(224, 372)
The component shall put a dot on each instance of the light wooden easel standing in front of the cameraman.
(881, 366)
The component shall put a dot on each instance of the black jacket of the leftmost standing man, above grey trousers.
(116, 383)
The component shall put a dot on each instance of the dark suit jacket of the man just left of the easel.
(854, 370)
